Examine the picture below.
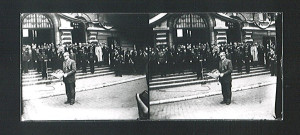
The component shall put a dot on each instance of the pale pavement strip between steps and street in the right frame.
(169, 95)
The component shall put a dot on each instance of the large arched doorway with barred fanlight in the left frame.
(37, 29)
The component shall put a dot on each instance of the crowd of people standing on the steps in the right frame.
(194, 58)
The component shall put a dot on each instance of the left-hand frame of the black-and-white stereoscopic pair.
(84, 66)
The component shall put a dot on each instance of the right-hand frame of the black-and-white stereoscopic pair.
(215, 65)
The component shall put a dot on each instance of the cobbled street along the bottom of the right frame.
(252, 104)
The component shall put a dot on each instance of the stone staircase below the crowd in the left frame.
(34, 78)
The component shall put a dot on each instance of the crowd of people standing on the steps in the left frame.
(86, 55)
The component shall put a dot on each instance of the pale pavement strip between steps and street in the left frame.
(58, 88)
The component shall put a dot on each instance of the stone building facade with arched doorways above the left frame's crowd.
(70, 28)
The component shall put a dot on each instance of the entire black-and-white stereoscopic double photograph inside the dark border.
(151, 66)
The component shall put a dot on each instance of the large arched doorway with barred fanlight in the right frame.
(190, 30)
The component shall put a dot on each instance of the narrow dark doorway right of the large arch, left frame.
(78, 32)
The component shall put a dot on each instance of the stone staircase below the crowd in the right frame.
(190, 78)
